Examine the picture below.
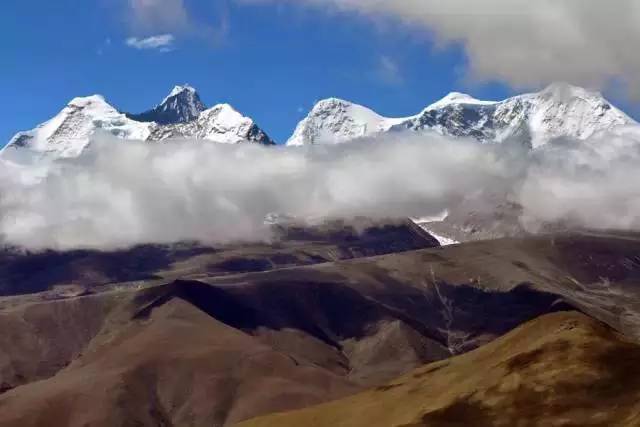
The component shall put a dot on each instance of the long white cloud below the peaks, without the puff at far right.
(123, 193)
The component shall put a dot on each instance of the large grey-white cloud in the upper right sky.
(524, 43)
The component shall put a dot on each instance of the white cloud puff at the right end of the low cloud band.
(592, 183)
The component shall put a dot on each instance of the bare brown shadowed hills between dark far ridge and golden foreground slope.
(216, 348)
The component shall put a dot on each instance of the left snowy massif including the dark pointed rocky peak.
(182, 114)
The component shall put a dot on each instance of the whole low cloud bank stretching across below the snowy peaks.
(119, 194)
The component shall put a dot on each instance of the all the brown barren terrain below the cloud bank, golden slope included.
(212, 337)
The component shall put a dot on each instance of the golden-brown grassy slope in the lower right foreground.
(562, 369)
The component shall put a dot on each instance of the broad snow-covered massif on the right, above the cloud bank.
(560, 110)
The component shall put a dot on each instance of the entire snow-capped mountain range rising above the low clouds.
(534, 119)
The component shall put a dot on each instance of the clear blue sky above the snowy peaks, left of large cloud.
(272, 62)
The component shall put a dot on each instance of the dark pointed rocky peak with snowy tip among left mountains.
(182, 105)
